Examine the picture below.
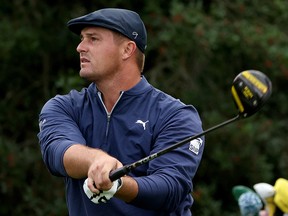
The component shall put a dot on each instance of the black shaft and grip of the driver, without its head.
(118, 173)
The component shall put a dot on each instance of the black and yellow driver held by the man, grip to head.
(250, 90)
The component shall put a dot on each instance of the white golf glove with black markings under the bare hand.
(103, 196)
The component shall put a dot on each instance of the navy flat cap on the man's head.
(126, 22)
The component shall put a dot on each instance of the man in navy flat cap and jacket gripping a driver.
(119, 119)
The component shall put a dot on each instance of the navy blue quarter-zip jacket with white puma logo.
(165, 183)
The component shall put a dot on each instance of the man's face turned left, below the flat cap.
(99, 54)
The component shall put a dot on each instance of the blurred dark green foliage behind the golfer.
(195, 49)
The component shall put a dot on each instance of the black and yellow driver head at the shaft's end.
(250, 90)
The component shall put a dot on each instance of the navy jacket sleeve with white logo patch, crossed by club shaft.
(168, 183)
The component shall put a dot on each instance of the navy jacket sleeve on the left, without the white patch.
(58, 131)
